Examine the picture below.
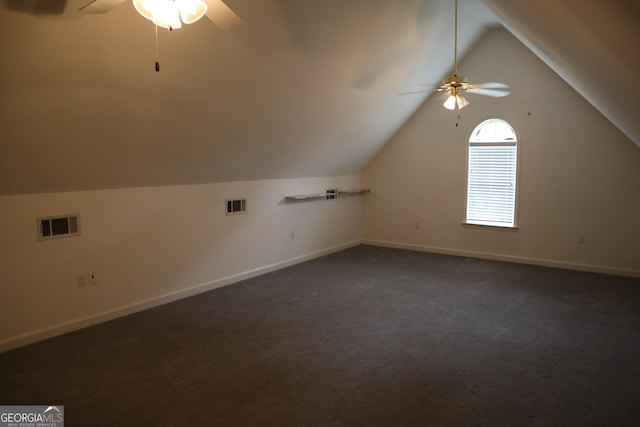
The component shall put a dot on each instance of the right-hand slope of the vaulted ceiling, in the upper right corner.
(593, 45)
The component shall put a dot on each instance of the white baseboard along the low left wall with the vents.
(73, 325)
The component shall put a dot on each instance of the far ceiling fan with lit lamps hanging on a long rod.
(454, 85)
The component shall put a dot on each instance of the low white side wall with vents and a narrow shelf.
(156, 244)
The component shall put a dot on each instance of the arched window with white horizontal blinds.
(491, 174)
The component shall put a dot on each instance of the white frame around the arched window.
(517, 143)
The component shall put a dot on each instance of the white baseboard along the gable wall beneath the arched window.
(508, 258)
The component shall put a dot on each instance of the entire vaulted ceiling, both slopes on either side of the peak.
(302, 88)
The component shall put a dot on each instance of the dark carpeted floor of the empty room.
(364, 337)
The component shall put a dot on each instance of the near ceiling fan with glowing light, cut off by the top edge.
(171, 14)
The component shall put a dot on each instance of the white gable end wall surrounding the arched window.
(577, 173)
